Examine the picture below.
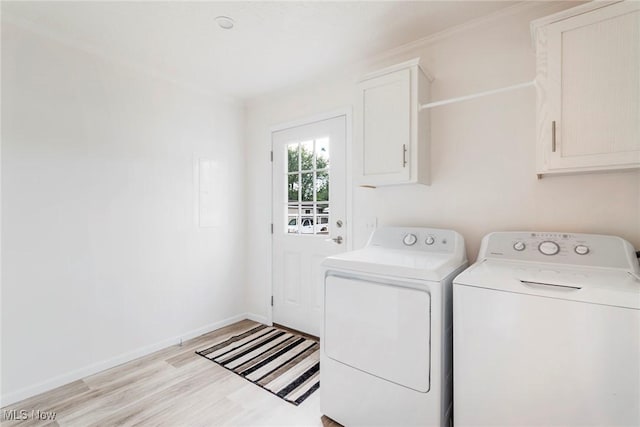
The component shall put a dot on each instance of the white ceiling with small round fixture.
(273, 44)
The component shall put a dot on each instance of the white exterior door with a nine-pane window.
(309, 222)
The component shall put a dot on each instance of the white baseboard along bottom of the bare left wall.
(60, 380)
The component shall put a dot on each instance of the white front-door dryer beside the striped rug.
(386, 342)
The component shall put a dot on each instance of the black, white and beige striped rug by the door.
(286, 364)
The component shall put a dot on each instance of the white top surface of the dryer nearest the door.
(430, 266)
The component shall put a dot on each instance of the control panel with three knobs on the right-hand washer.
(562, 248)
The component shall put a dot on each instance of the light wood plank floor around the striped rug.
(171, 387)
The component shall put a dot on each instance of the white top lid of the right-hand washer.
(590, 285)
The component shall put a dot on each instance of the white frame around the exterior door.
(347, 112)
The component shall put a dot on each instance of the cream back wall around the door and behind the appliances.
(483, 151)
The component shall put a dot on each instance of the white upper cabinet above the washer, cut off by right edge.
(588, 75)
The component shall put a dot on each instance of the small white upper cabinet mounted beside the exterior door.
(391, 134)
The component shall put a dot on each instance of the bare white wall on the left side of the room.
(102, 259)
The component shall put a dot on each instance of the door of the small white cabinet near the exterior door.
(386, 115)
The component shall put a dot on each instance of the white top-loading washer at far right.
(547, 332)
